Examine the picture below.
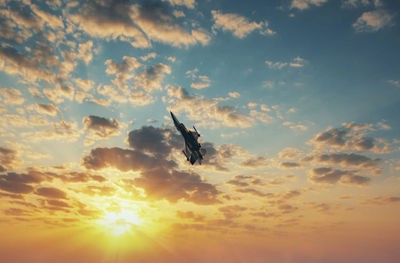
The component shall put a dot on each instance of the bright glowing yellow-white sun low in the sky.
(118, 223)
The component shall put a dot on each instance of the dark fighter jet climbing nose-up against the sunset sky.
(193, 150)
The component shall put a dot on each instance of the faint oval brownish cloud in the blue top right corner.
(373, 21)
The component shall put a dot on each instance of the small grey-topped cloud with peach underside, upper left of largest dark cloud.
(101, 128)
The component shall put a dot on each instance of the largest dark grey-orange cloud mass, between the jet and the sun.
(158, 177)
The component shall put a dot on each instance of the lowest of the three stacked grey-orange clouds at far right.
(330, 176)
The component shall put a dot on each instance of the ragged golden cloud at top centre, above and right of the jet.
(239, 25)
